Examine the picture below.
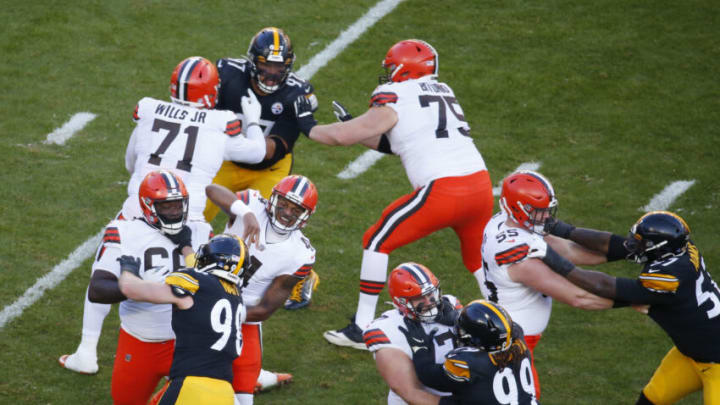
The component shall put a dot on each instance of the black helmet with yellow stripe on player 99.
(485, 325)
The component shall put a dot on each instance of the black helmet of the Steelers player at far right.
(657, 235)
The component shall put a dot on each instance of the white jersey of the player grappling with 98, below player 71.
(143, 320)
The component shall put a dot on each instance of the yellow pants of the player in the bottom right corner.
(679, 375)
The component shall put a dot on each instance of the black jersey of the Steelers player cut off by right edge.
(684, 300)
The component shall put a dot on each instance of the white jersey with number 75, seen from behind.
(431, 136)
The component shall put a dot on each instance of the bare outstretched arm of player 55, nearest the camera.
(535, 274)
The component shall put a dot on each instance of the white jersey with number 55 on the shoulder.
(502, 247)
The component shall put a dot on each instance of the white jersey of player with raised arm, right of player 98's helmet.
(292, 256)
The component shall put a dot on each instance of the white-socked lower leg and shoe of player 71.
(84, 360)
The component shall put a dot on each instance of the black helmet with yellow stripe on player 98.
(224, 256)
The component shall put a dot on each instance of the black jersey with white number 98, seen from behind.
(207, 335)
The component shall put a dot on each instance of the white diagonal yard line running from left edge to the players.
(50, 280)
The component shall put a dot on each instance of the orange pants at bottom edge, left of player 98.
(138, 368)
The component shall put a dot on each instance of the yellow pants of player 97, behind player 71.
(237, 179)
